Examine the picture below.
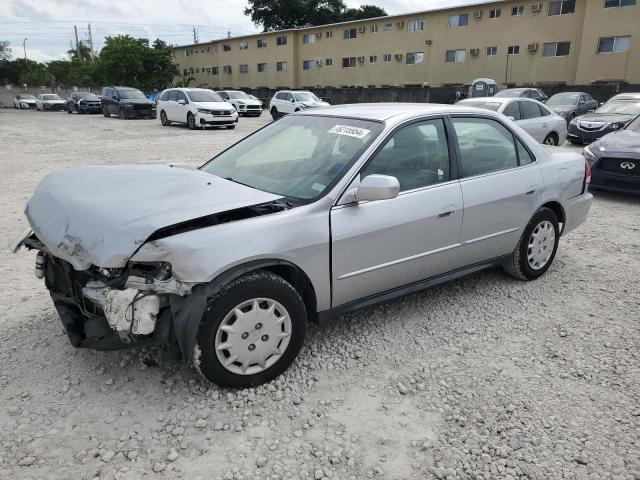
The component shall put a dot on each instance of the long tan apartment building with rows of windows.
(513, 42)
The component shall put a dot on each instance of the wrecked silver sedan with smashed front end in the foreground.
(315, 215)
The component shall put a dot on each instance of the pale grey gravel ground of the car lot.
(482, 378)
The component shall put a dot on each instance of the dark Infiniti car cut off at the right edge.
(615, 160)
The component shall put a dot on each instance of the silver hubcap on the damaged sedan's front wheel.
(253, 336)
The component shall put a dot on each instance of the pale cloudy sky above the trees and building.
(48, 25)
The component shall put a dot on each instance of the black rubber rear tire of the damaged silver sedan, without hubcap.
(518, 266)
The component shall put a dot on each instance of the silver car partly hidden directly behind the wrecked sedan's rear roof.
(535, 118)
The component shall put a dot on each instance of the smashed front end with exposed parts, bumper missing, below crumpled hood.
(110, 308)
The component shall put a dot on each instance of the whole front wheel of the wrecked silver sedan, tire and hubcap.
(251, 331)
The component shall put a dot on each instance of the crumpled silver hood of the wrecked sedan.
(101, 214)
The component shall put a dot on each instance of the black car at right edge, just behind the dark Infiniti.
(610, 117)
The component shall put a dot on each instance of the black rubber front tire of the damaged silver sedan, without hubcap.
(258, 284)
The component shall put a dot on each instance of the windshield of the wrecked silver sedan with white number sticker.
(297, 157)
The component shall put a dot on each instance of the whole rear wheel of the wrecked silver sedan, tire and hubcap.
(537, 247)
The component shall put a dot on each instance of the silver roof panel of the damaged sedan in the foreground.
(383, 112)
